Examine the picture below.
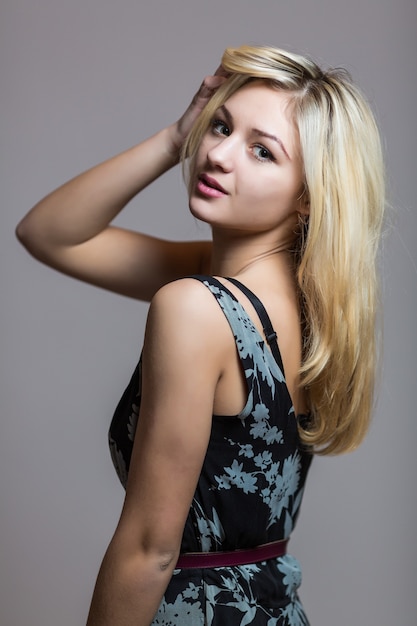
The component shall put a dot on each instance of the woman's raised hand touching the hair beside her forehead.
(207, 88)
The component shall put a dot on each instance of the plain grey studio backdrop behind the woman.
(82, 80)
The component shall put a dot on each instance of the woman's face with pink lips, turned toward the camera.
(248, 175)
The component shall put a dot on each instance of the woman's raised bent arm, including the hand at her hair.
(70, 229)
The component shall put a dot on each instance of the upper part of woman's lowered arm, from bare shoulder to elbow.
(181, 367)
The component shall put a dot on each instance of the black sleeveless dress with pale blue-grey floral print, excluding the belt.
(249, 491)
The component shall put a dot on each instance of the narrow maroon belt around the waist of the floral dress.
(233, 557)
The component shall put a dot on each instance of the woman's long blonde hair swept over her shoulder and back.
(337, 252)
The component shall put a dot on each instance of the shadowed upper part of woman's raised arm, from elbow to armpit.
(128, 262)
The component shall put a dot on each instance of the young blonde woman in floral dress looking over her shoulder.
(284, 164)
